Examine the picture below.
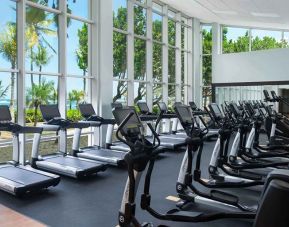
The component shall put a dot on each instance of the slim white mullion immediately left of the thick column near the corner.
(189, 62)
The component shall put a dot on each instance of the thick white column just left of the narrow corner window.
(197, 73)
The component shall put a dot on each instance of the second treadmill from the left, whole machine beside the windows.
(61, 162)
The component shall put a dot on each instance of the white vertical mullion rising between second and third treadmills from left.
(62, 31)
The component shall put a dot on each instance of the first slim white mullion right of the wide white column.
(130, 53)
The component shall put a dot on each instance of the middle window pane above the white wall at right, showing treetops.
(265, 39)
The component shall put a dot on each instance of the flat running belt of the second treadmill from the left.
(73, 162)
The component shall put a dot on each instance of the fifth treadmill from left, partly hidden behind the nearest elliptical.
(171, 143)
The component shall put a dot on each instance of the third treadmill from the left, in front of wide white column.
(96, 152)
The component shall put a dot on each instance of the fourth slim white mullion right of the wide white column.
(178, 60)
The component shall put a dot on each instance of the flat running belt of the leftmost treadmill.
(22, 176)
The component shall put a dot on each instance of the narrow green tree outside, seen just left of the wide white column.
(82, 51)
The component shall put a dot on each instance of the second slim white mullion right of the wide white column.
(149, 56)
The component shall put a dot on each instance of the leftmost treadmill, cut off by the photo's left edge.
(19, 179)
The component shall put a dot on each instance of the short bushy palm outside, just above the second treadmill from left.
(40, 94)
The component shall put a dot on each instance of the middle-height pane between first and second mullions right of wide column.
(139, 59)
